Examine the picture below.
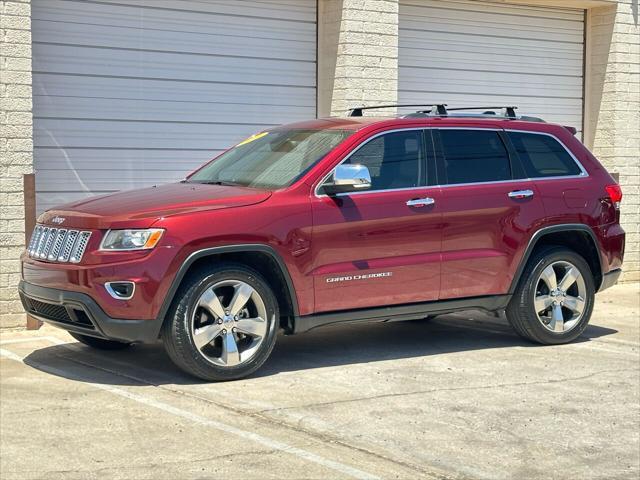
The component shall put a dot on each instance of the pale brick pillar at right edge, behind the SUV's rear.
(612, 107)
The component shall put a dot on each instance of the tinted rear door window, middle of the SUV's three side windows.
(473, 156)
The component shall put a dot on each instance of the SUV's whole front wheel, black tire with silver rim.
(224, 323)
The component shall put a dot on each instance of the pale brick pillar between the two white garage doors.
(358, 54)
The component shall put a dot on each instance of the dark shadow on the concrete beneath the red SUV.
(326, 347)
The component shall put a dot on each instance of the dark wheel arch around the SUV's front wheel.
(260, 257)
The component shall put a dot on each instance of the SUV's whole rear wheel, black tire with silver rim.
(554, 300)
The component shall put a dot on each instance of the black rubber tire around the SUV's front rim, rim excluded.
(177, 333)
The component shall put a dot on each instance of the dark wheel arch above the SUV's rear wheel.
(584, 243)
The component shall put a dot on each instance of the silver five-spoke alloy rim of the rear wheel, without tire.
(560, 297)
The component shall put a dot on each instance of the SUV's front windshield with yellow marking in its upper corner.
(271, 160)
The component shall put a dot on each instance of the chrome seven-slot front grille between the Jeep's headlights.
(58, 244)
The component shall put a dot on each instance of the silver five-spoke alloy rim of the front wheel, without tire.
(229, 323)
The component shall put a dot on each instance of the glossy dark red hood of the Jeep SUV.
(141, 208)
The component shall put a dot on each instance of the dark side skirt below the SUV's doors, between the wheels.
(413, 311)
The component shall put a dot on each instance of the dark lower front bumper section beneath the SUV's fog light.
(78, 312)
